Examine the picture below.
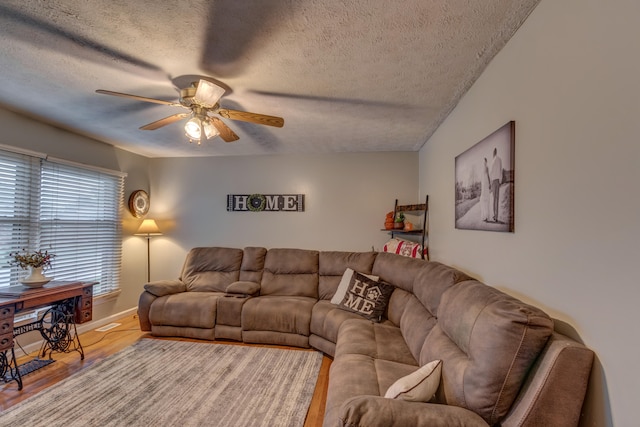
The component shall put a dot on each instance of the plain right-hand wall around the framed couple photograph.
(569, 78)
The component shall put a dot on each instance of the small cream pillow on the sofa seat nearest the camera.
(419, 386)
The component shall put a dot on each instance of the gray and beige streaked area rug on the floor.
(178, 383)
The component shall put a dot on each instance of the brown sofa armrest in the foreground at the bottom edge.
(372, 411)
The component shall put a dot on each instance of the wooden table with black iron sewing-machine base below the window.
(71, 303)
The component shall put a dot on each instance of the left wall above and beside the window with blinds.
(22, 132)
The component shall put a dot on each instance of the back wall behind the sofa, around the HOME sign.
(346, 195)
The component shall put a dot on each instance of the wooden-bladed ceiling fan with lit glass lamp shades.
(202, 98)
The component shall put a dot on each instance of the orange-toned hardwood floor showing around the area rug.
(98, 345)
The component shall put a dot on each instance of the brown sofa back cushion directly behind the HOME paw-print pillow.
(332, 266)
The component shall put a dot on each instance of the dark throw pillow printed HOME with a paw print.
(366, 297)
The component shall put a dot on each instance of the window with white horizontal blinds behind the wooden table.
(69, 210)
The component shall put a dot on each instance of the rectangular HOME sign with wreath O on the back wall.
(265, 202)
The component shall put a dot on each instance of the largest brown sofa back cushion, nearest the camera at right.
(488, 341)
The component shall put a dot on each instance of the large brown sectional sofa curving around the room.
(502, 361)
